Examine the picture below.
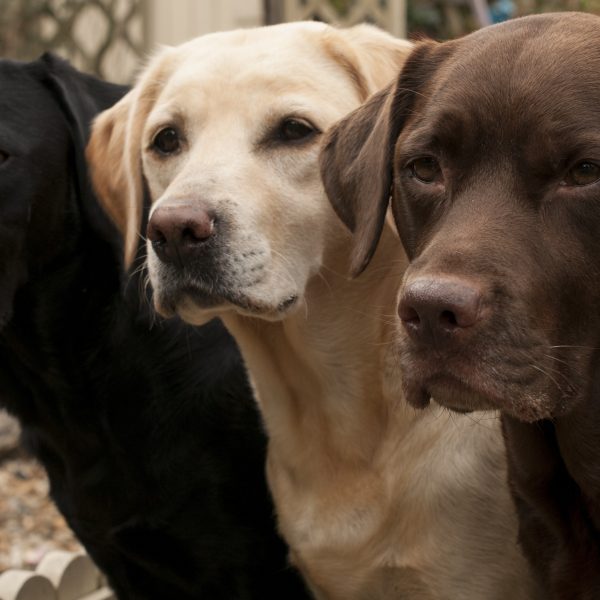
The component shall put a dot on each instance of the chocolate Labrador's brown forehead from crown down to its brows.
(536, 74)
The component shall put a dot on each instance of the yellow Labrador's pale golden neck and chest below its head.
(349, 462)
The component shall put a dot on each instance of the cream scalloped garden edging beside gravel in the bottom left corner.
(59, 576)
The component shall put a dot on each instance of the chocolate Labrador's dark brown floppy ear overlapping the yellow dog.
(357, 155)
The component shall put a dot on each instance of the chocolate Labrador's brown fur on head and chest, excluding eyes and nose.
(507, 112)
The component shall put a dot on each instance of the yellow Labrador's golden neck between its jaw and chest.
(319, 374)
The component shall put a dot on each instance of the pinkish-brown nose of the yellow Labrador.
(178, 233)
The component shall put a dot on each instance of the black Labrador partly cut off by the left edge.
(147, 429)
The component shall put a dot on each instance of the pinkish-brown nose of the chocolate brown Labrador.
(433, 308)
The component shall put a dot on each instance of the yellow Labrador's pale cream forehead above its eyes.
(281, 65)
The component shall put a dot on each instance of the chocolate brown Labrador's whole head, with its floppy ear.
(490, 148)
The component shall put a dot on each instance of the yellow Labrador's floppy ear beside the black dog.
(114, 153)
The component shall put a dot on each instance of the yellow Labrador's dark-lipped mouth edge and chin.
(197, 306)
